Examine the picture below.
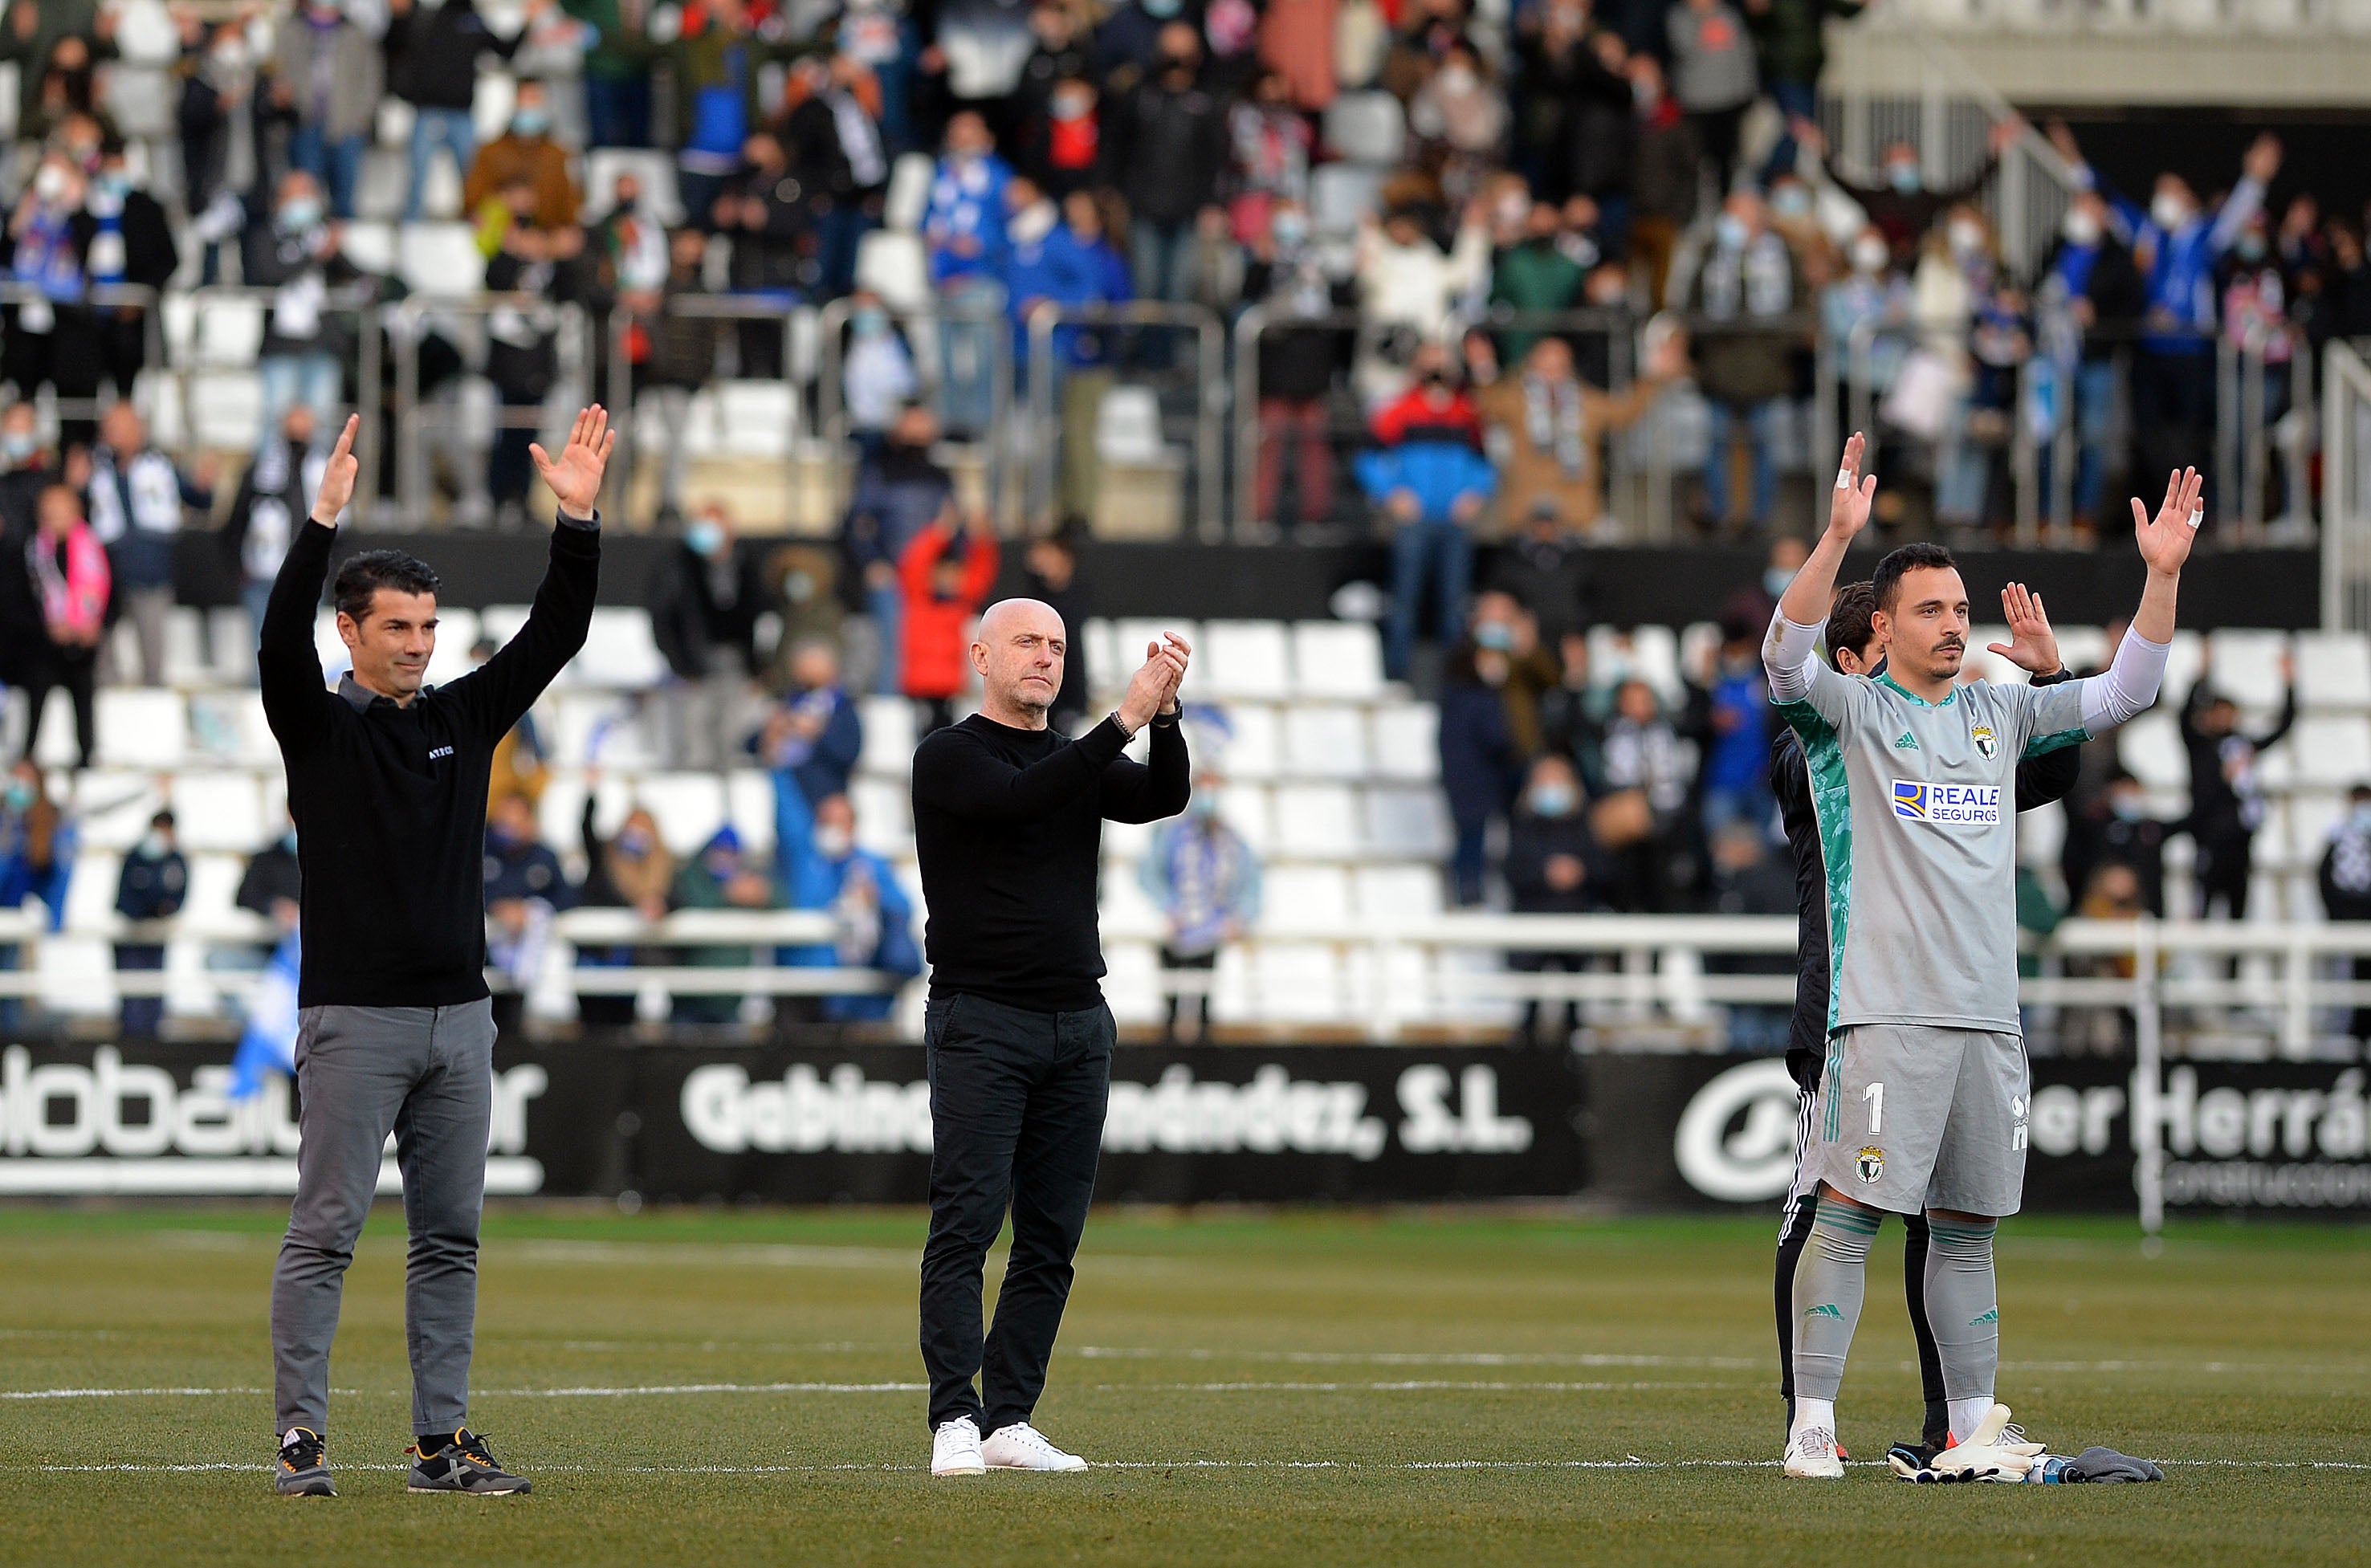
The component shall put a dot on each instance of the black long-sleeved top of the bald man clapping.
(1009, 829)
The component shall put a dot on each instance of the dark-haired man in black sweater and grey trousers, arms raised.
(388, 789)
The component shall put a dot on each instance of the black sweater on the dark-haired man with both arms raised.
(390, 803)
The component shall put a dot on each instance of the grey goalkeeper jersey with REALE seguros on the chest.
(1919, 824)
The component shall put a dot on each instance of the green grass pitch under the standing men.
(1279, 1389)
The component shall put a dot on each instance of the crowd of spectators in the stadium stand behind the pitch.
(1561, 158)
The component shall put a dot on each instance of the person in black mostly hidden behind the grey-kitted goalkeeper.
(1855, 649)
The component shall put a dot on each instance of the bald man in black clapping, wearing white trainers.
(1009, 827)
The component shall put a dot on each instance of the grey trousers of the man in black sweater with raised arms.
(362, 1073)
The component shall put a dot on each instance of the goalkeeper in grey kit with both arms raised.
(1924, 1092)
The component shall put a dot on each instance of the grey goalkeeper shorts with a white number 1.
(1917, 1118)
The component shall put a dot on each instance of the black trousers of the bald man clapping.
(1016, 1118)
